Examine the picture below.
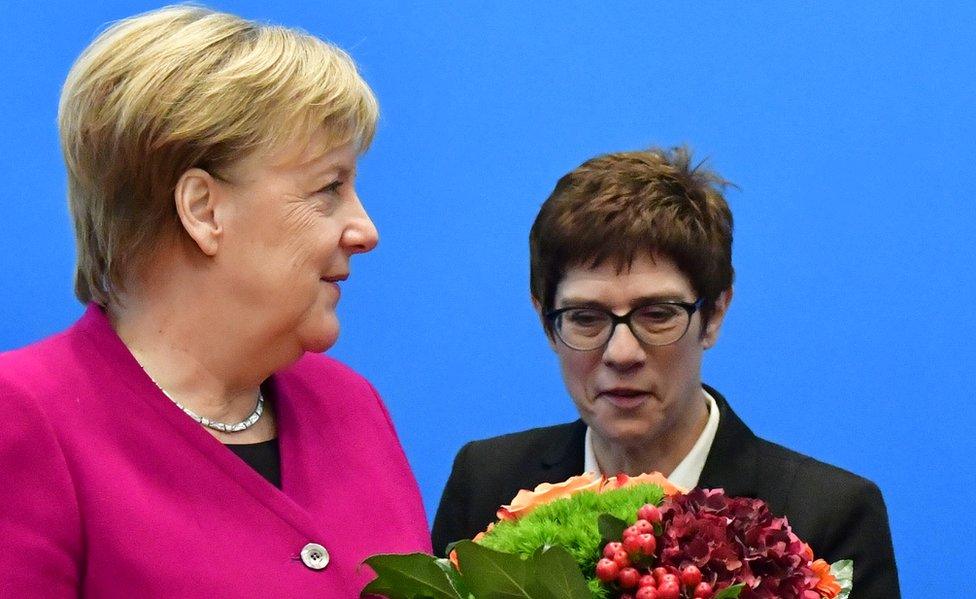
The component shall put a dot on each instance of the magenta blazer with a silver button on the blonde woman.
(107, 489)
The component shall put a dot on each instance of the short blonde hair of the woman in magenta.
(183, 87)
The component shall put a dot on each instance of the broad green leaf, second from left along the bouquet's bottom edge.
(490, 574)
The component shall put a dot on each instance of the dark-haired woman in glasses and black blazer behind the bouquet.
(631, 273)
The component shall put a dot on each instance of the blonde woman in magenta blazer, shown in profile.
(185, 438)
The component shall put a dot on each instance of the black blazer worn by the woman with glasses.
(841, 515)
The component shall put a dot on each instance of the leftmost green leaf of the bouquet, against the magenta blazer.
(410, 576)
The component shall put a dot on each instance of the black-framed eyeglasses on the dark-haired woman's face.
(655, 323)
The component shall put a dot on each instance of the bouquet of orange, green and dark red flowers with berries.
(620, 537)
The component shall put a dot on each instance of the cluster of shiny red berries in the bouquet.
(628, 564)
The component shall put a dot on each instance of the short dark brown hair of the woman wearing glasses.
(618, 206)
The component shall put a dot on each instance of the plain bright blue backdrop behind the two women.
(848, 128)
